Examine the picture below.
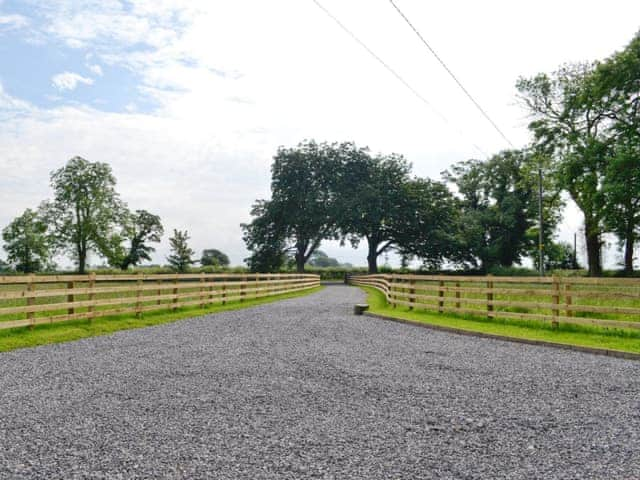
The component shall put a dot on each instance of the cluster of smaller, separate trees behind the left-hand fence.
(86, 214)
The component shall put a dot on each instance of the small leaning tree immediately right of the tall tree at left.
(139, 228)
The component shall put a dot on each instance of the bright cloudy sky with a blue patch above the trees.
(189, 100)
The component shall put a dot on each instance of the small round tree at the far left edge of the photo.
(26, 242)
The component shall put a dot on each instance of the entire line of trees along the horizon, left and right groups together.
(586, 142)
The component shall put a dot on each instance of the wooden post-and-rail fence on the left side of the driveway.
(26, 301)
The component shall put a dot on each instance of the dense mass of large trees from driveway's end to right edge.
(586, 142)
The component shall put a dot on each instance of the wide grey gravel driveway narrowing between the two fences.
(303, 389)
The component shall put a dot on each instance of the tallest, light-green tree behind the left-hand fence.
(85, 209)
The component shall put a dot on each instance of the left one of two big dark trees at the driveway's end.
(299, 215)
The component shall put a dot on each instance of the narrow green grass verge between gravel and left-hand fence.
(12, 339)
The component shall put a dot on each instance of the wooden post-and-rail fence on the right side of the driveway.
(611, 302)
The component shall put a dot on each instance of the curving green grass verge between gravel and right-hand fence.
(626, 340)
